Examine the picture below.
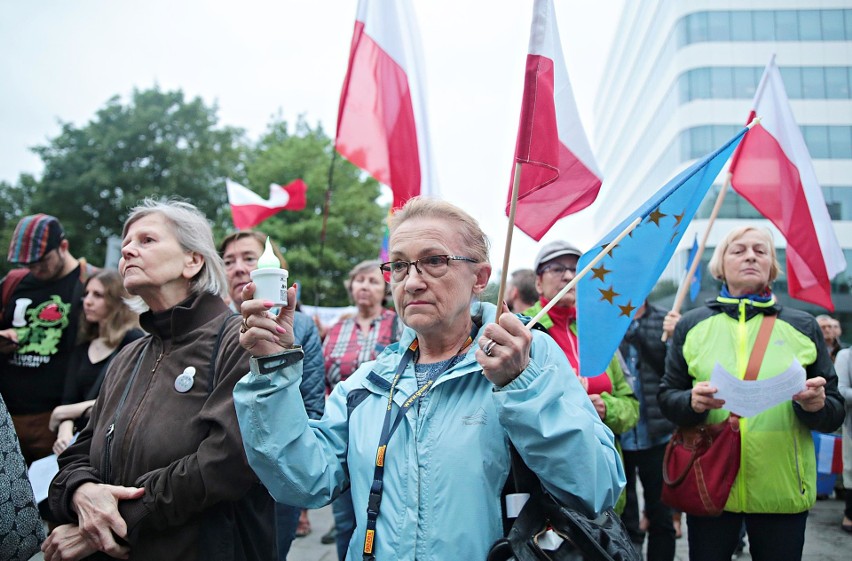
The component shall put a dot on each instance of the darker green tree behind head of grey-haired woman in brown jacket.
(159, 145)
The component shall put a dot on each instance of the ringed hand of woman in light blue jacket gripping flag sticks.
(508, 343)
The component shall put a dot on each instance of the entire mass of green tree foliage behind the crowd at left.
(161, 145)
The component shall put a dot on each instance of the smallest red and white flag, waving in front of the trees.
(250, 209)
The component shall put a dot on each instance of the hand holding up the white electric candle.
(264, 333)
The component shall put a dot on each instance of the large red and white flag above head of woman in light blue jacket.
(381, 122)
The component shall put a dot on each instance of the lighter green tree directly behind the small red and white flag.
(354, 230)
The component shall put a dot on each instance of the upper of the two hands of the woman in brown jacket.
(96, 505)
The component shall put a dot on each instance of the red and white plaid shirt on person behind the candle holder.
(346, 347)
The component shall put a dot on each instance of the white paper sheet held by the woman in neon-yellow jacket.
(747, 399)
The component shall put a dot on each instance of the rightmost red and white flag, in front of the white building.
(772, 169)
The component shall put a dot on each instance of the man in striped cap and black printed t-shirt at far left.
(40, 308)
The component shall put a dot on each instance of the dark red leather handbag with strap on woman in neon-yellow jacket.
(701, 463)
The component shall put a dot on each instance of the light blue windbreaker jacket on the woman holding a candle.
(447, 463)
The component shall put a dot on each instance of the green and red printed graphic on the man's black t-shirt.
(42, 333)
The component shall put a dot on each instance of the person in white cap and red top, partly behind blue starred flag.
(555, 266)
